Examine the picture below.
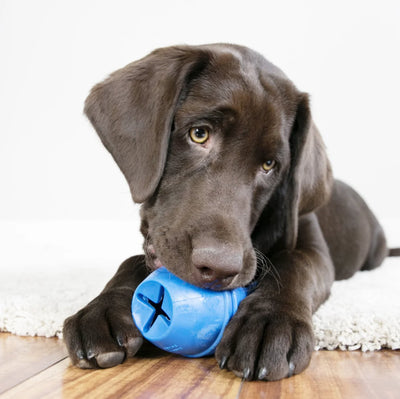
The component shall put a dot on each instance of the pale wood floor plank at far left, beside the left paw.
(23, 357)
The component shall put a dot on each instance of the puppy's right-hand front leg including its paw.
(271, 335)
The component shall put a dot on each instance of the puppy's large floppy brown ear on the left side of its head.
(132, 112)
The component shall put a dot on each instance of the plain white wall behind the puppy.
(346, 54)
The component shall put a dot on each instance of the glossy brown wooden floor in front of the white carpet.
(38, 368)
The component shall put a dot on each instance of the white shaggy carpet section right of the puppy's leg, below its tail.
(362, 312)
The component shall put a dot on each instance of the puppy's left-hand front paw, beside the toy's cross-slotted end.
(102, 334)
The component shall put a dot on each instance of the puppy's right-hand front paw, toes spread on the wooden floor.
(265, 343)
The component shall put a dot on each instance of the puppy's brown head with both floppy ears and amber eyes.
(220, 148)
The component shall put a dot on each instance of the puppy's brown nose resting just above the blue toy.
(216, 266)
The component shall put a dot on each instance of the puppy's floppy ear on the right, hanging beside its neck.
(310, 176)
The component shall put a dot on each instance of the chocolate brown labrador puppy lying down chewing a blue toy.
(220, 148)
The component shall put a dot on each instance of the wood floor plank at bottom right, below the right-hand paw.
(336, 375)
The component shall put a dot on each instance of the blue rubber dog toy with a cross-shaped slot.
(182, 318)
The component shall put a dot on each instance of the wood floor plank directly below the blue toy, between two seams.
(165, 376)
